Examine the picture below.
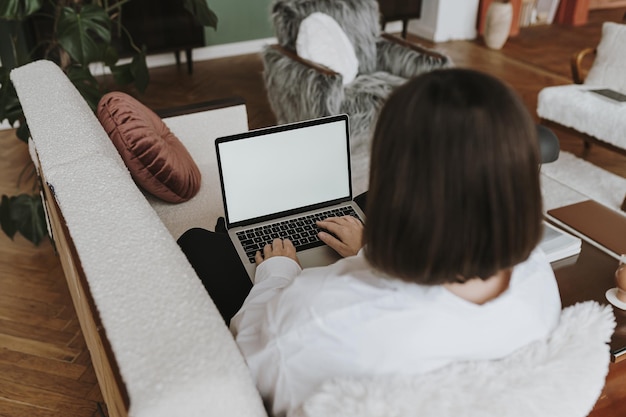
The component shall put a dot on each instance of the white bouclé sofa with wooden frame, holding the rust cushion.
(158, 344)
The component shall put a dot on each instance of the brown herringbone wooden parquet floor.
(44, 366)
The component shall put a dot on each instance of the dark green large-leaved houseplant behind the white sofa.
(82, 33)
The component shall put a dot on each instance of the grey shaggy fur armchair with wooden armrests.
(299, 88)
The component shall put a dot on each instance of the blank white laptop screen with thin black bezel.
(284, 168)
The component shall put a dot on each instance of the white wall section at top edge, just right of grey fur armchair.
(446, 20)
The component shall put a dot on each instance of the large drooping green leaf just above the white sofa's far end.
(84, 33)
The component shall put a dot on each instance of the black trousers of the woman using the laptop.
(213, 257)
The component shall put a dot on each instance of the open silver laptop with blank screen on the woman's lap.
(277, 181)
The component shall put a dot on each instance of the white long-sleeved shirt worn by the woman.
(299, 328)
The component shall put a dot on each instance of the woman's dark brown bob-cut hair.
(454, 182)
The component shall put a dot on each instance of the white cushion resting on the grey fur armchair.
(321, 40)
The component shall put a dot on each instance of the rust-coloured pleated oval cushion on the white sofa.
(155, 157)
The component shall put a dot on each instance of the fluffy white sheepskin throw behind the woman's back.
(561, 377)
